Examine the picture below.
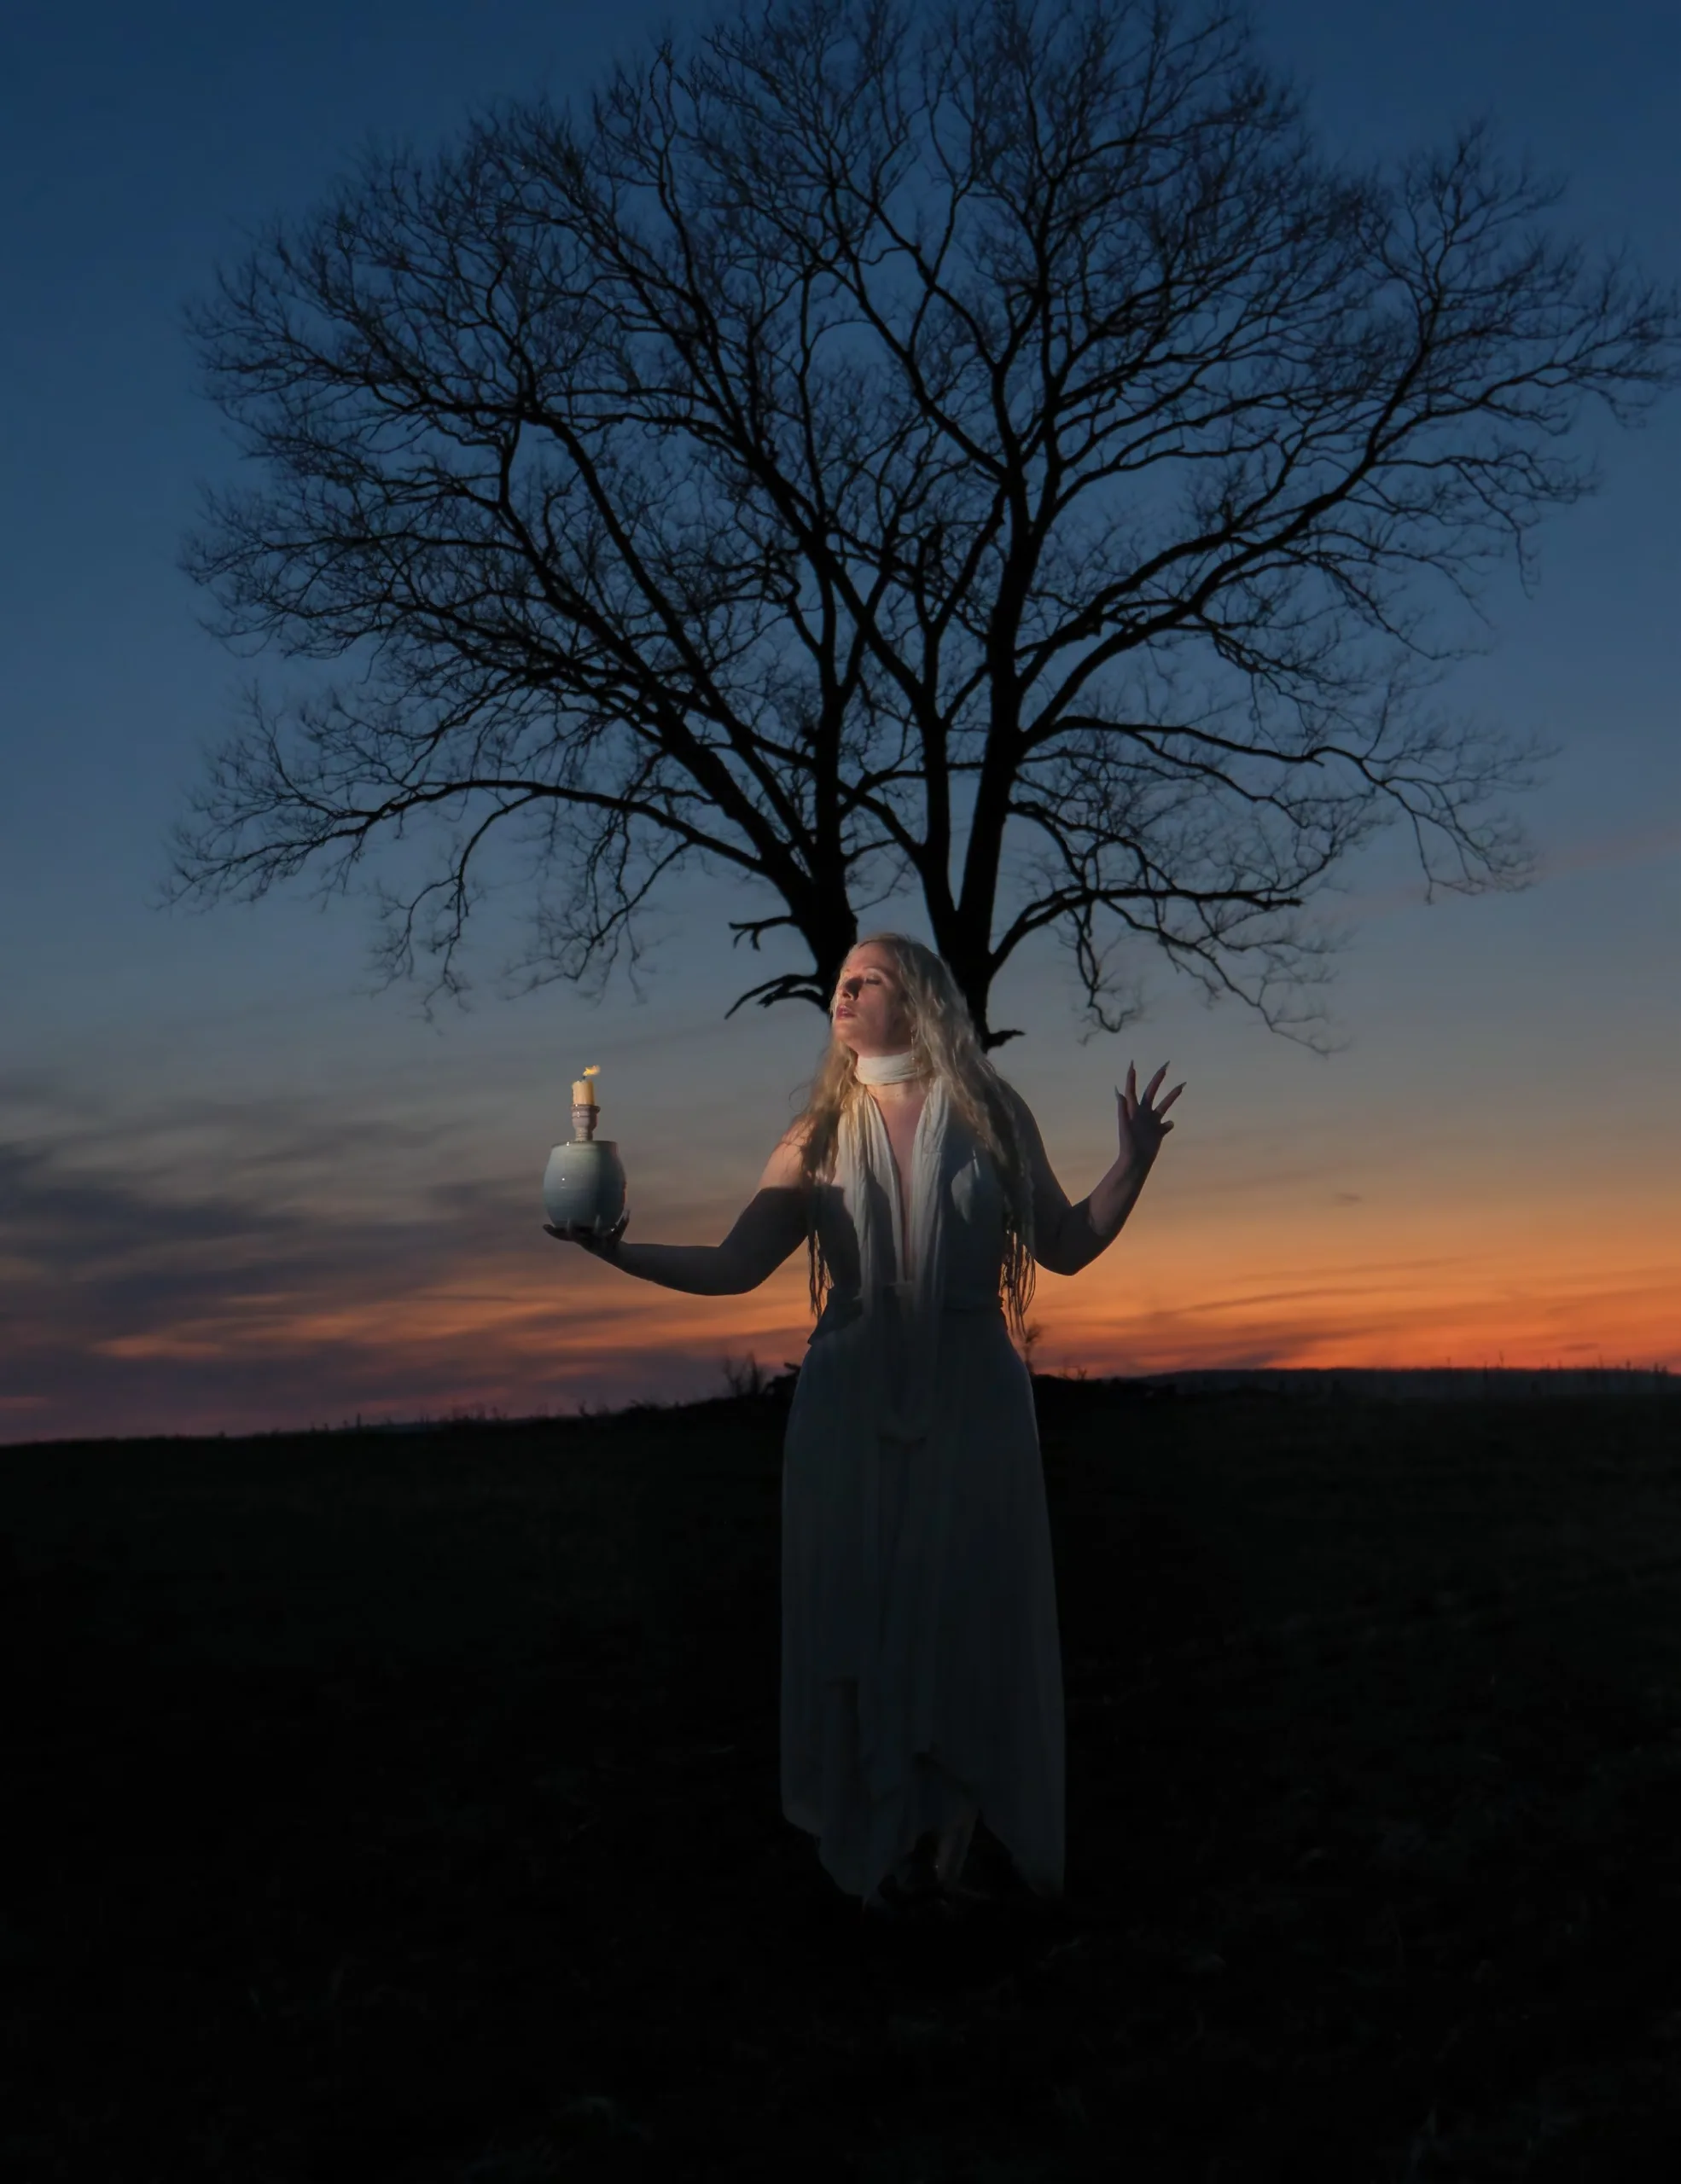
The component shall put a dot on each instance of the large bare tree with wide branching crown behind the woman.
(990, 453)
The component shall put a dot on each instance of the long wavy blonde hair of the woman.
(944, 1041)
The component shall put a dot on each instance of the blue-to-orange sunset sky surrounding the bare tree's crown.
(239, 1189)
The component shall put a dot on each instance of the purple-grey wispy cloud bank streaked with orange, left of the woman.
(239, 1266)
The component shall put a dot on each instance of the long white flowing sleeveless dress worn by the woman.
(920, 1648)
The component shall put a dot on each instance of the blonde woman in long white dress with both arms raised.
(920, 1652)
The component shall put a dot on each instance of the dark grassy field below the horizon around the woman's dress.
(405, 1812)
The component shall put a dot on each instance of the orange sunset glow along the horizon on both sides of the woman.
(1158, 1303)
